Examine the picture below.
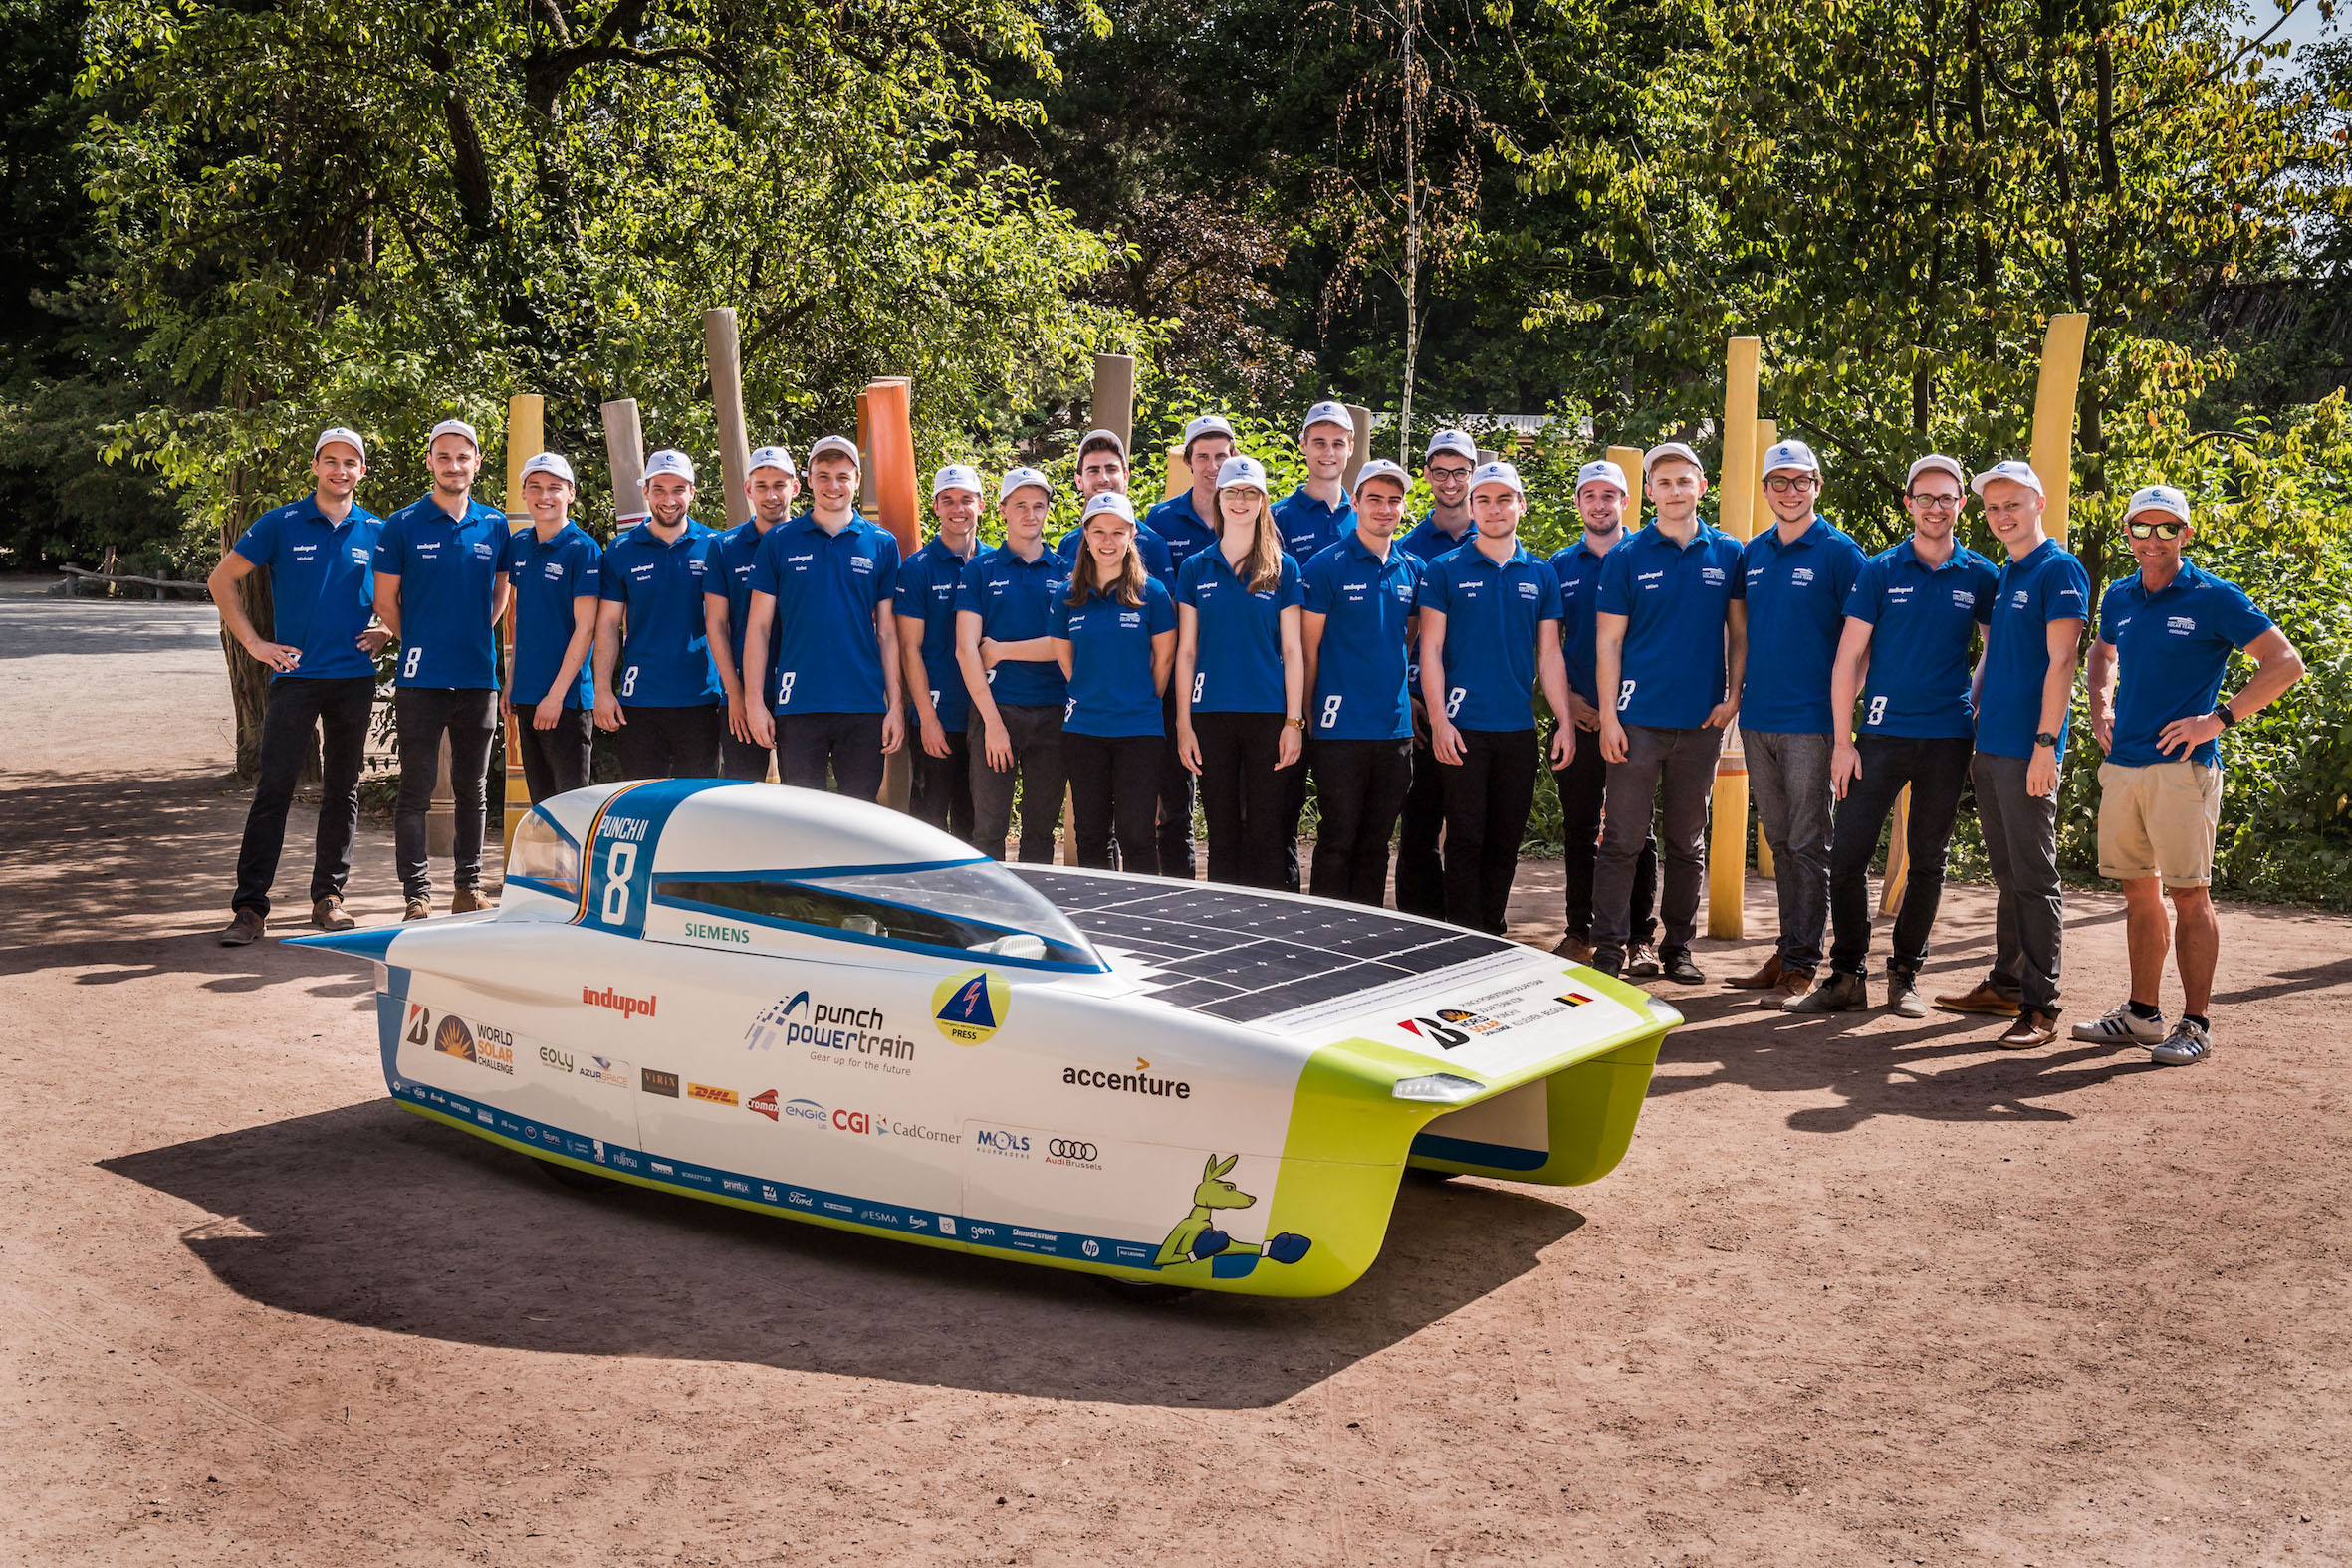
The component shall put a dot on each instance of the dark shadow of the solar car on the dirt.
(389, 1221)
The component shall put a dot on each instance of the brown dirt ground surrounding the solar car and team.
(1864, 1292)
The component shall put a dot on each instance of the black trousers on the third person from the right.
(1935, 772)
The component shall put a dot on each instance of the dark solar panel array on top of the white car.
(1243, 956)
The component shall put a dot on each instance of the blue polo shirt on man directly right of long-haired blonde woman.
(1363, 666)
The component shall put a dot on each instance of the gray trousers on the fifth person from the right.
(1681, 763)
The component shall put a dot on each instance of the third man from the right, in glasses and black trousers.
(1909, 624)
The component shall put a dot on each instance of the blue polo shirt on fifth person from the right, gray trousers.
(1676, 601)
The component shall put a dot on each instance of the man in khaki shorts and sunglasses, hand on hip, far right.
(2172, 629)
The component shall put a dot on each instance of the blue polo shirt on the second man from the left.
(448, 575)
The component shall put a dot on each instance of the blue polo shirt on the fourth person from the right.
(1796, 615)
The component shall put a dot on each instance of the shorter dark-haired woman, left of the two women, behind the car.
(1116, 643)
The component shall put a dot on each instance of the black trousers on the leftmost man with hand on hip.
(295, 706)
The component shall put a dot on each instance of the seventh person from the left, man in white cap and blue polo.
(935, 683)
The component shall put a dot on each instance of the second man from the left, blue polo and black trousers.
(441, 589)
